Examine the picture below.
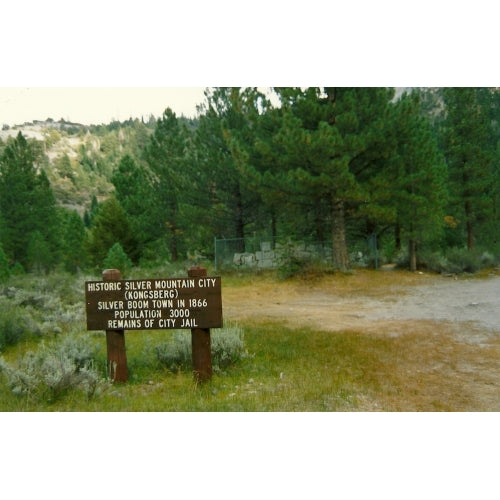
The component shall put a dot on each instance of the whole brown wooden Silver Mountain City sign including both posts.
(116, 305)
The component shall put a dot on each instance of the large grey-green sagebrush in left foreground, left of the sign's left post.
(51, 372)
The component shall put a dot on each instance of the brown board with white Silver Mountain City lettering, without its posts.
(154, 304)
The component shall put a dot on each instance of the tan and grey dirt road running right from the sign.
(473, 301)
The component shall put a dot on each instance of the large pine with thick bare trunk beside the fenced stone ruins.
(331, 142)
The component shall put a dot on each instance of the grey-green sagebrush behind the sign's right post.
(227, 346)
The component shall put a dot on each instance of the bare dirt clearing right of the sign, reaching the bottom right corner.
(446, 329)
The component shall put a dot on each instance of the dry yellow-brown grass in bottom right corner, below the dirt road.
(430, 370)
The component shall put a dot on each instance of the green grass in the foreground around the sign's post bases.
(289, 370)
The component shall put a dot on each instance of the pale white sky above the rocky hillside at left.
(94, 105)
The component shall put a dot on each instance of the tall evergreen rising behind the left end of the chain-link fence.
(224, 140)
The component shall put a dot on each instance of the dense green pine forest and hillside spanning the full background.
(411, 174)
